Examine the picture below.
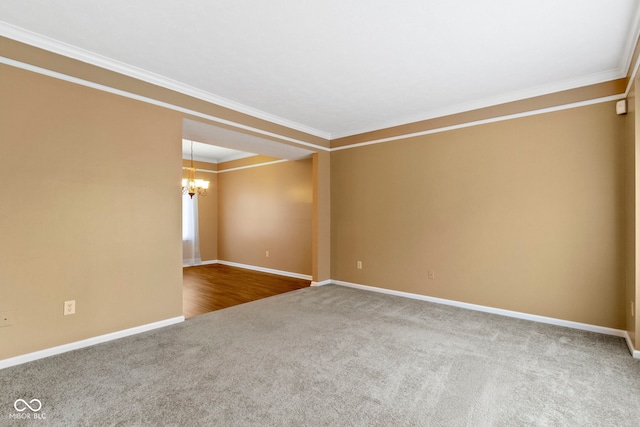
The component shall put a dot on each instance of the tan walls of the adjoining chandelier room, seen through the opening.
(278, 200)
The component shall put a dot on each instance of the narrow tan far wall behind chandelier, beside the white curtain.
(207, 210)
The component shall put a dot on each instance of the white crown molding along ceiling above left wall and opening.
(25, 36)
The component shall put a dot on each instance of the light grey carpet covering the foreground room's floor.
(335, 356)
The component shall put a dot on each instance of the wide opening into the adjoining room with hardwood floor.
(247, 225)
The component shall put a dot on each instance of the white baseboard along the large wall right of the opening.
(516, 314)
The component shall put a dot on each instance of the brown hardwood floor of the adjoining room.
(207, 288)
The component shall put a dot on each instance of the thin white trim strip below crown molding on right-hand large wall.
(481, 122)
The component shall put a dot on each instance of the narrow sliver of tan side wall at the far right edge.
(630, 186)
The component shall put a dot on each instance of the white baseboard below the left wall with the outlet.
(87, 342)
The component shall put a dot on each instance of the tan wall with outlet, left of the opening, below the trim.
(89, 210)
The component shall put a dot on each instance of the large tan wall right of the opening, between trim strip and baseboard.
(524, 214)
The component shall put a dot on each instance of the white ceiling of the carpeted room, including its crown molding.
(335, 67)
